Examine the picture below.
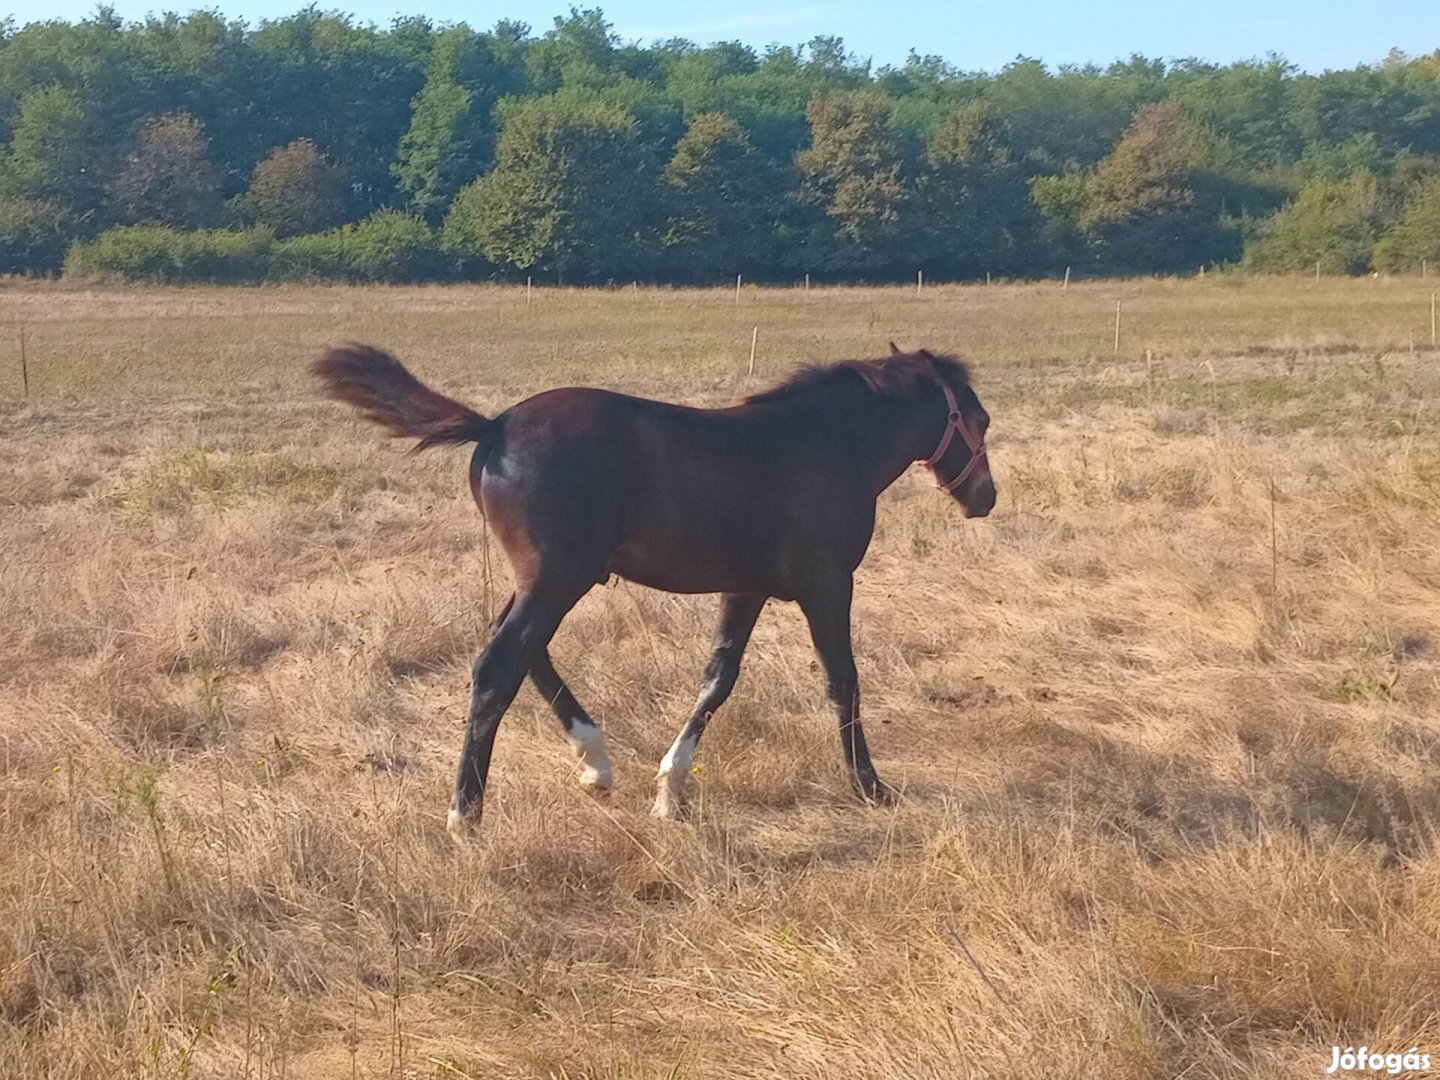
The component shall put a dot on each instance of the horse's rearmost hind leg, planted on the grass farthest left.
(525, 630)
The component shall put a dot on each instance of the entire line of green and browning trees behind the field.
(198, 148)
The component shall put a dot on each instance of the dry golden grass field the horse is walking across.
(1166, 724)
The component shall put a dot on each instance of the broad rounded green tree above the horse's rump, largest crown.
(571, 194)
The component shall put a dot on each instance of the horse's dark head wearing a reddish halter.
(960, 460)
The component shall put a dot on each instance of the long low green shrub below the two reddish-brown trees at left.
(159, 254)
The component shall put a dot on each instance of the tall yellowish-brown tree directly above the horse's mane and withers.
(852, 172)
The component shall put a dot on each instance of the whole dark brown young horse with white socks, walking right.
(770, 498)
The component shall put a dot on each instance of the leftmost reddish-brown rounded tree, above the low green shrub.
(169, 178)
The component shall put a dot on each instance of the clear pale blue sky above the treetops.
(1313, 34)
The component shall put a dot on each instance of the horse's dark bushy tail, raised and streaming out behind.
(385, 392)
